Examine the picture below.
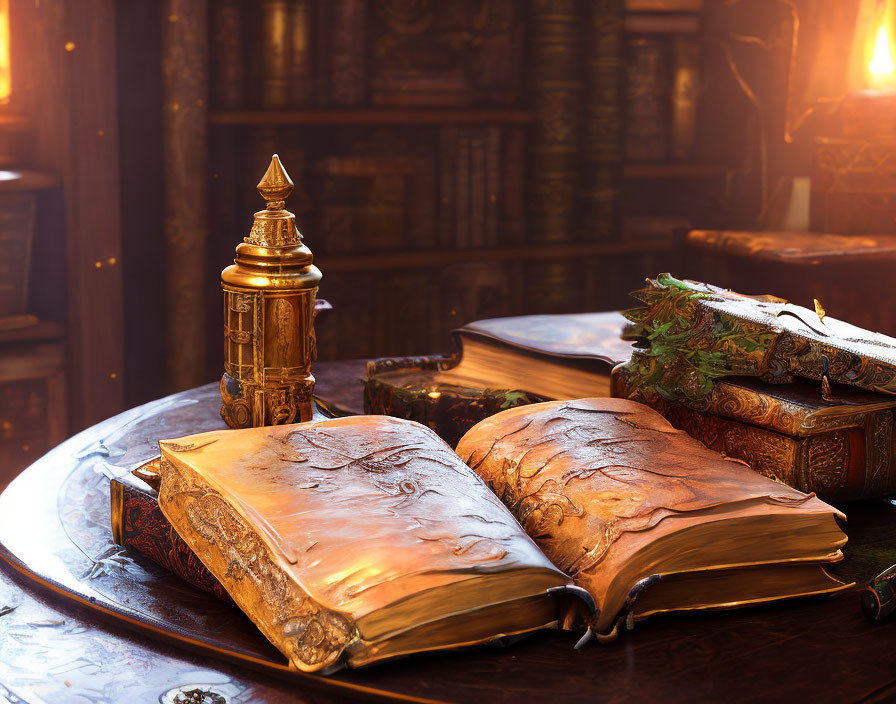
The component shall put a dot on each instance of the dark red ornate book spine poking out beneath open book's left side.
(139, 524)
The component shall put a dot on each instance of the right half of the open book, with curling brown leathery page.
(646, 518)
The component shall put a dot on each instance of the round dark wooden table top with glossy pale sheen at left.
(56, 542)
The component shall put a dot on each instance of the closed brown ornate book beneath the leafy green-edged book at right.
(841, 449)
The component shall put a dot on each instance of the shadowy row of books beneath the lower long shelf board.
(412, 311)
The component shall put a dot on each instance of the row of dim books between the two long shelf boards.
(451, 187)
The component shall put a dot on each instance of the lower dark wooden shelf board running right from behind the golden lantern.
(427, 258)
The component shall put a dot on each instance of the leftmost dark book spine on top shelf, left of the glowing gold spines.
(228, 50)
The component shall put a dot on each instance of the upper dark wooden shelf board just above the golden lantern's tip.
(370, 116)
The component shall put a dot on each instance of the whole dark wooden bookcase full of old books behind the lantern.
(448, 168)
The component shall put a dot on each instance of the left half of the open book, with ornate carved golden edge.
(357, 539)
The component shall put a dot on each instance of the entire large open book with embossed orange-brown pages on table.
(358, 539)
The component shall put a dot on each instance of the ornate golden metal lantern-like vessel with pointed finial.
(269, 295)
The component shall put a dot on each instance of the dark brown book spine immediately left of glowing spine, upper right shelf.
(647, 132)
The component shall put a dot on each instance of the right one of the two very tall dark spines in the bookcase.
(602, 154)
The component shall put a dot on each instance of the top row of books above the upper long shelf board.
(351, 53)
